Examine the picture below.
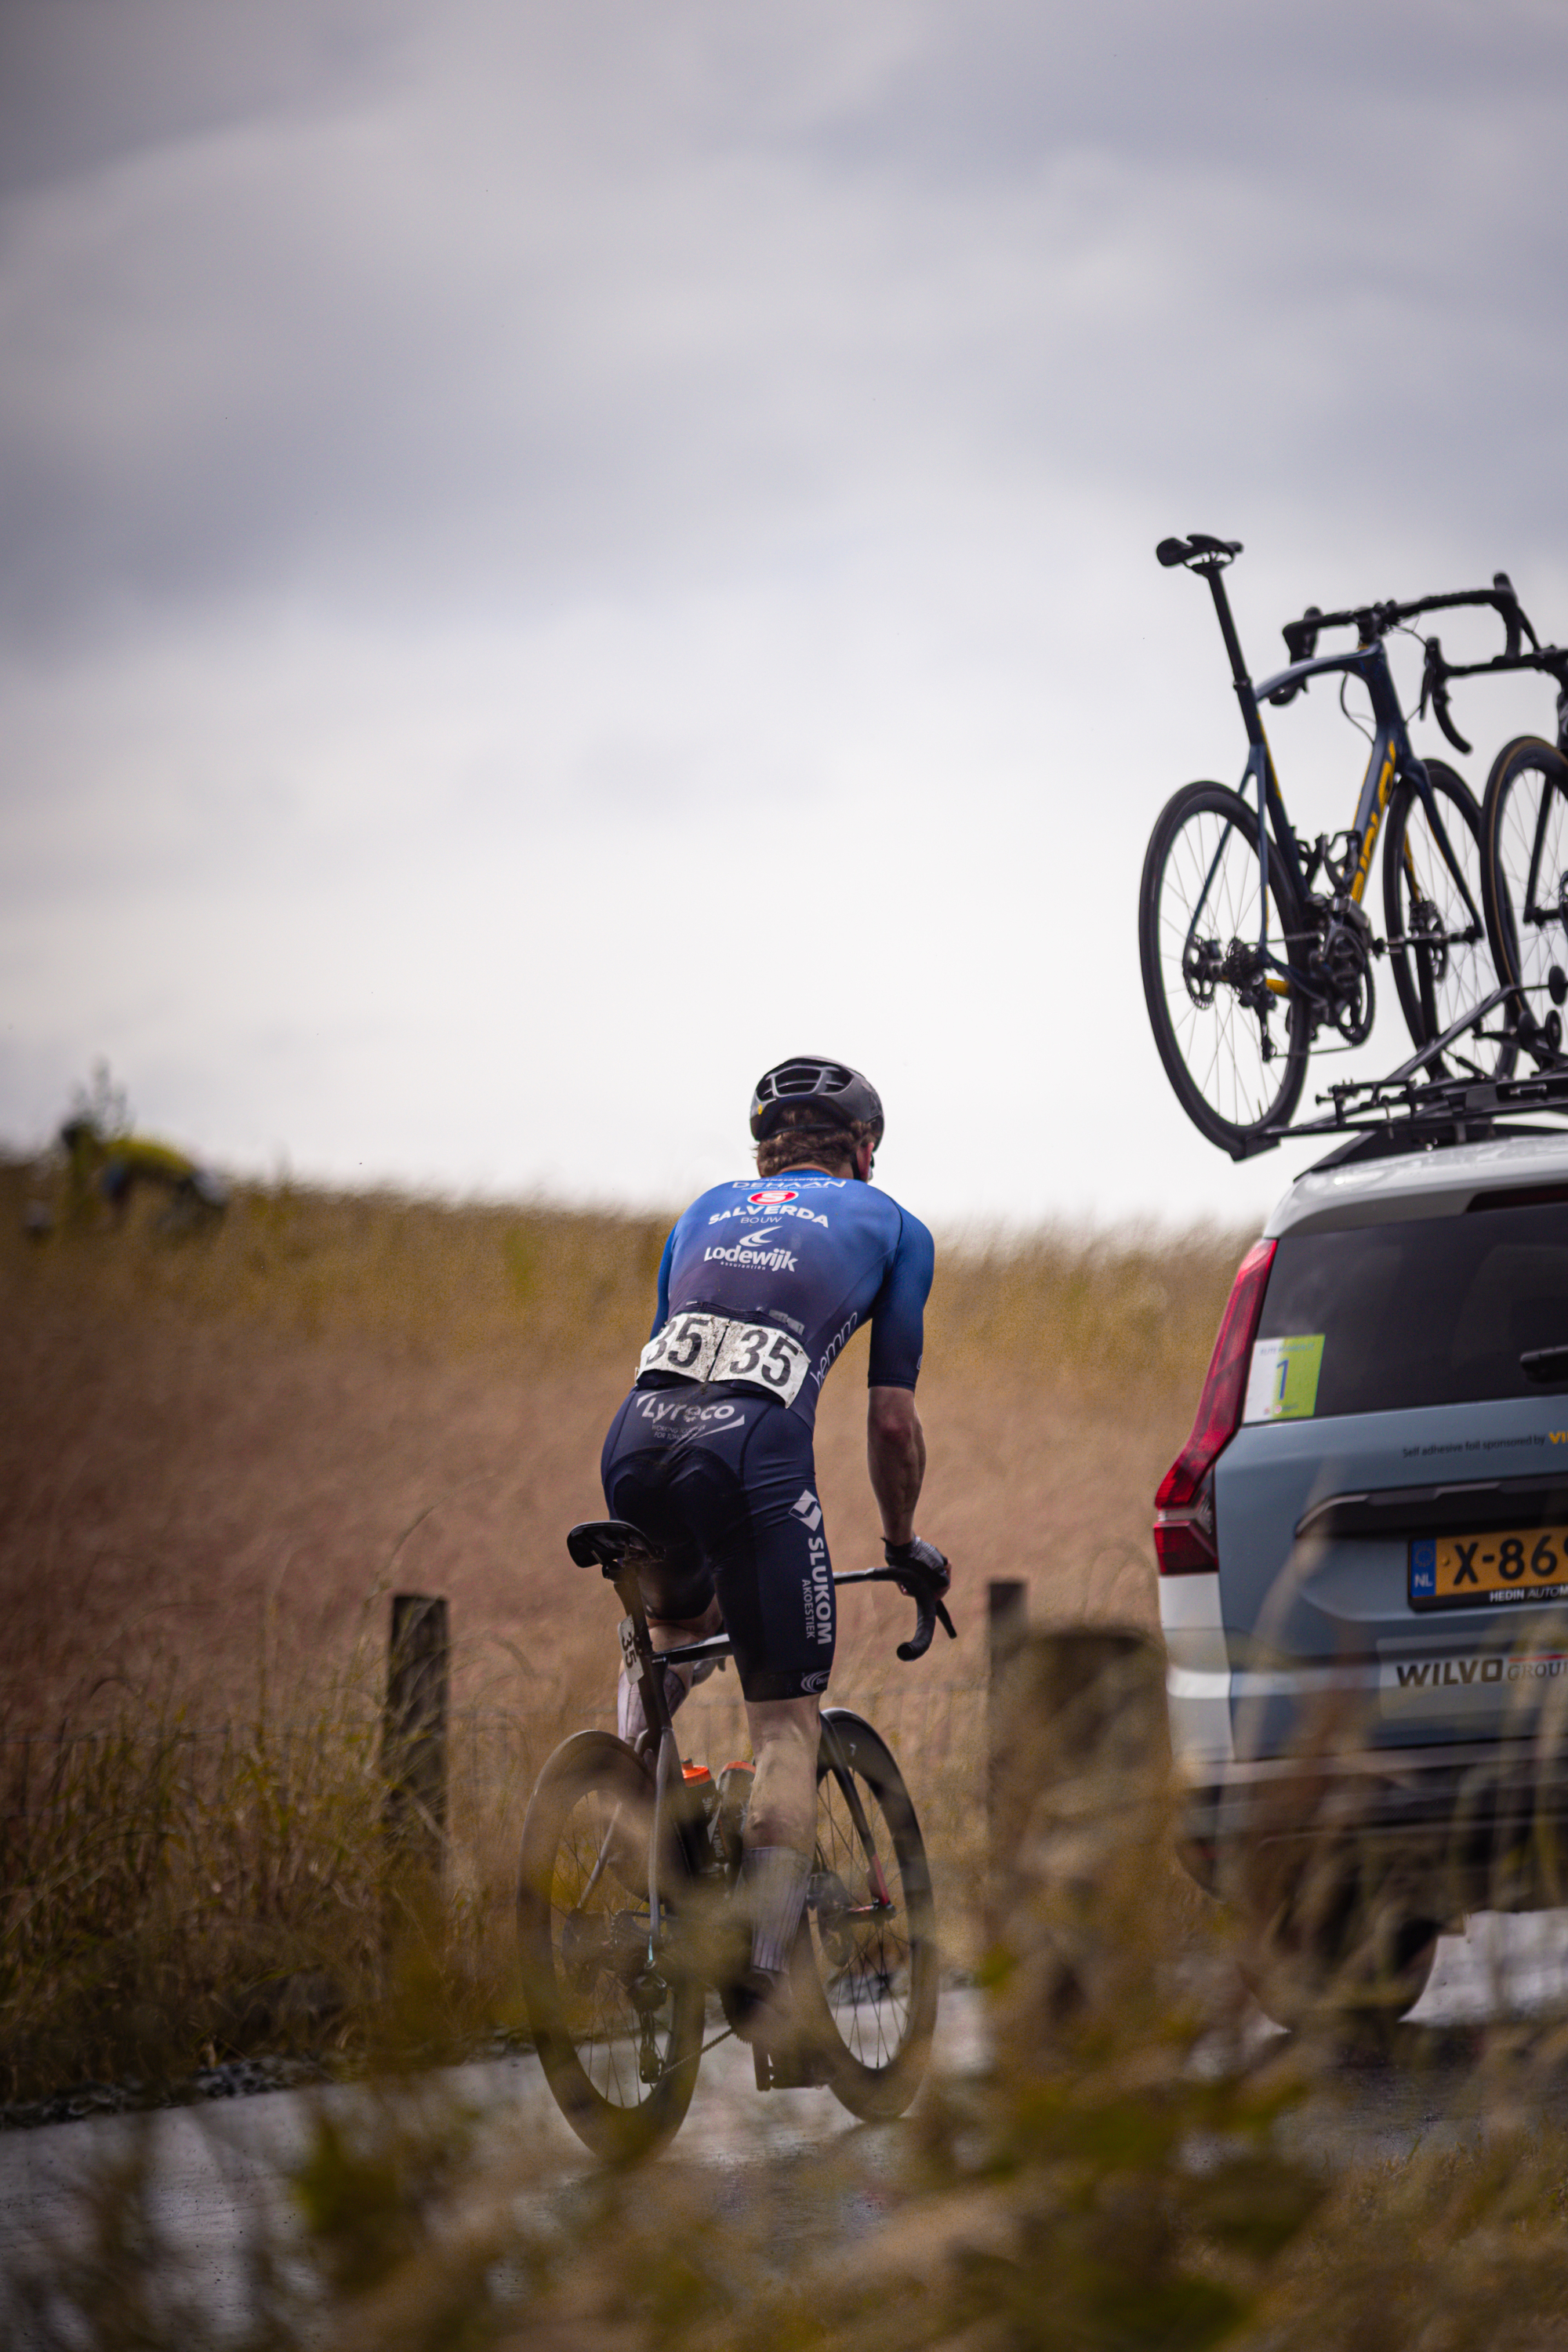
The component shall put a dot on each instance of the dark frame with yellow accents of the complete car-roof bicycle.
(1393, 761)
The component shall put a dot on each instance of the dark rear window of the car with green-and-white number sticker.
(1426, 1314)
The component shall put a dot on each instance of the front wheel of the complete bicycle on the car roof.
(1433, 904)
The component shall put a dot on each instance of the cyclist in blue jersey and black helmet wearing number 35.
(760, 1288)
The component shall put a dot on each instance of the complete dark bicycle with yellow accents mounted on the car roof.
(1245, 963)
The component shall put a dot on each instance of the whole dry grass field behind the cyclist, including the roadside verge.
(222, 1450)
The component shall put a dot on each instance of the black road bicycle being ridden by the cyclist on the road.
(629, 1913)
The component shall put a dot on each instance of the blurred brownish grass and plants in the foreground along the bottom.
(1130, 2170)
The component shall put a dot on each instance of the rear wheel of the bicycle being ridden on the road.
(619, 2036)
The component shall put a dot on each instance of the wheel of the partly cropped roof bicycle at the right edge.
(1525, 864)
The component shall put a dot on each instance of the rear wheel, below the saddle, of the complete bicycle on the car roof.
(1231, 1029)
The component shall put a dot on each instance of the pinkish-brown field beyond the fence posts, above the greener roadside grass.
(217, 1455)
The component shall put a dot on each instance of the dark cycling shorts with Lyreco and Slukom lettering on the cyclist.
(723, 1483)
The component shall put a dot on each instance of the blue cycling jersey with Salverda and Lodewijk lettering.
(812, 1257)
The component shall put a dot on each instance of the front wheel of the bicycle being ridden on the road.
(866, 1965)
